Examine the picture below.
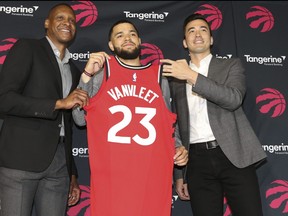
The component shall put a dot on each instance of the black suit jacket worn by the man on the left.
(30, 84)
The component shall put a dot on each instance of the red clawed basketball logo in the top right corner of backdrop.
(262, 16)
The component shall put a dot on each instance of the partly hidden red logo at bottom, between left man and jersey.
(84, 204)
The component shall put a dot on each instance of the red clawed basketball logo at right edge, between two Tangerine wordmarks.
(271, 101)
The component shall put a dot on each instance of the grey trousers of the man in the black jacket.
(46, 191)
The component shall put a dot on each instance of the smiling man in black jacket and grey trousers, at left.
(36, 94)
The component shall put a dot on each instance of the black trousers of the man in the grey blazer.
(211, 176)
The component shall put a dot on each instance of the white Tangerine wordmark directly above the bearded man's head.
(149, 17)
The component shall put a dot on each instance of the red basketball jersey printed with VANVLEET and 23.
(131, 144)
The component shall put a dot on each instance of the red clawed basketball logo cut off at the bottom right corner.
(277, 195)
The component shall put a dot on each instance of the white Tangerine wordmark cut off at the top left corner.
(19, 10)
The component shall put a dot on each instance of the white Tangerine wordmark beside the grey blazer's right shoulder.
(266, 60)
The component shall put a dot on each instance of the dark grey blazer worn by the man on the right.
(224, 89)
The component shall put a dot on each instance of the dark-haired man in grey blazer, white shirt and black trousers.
(207, 96)
